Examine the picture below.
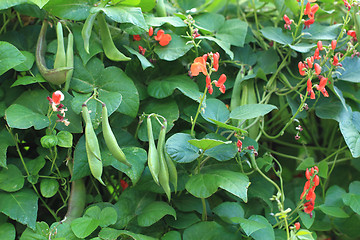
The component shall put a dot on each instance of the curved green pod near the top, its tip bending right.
(109, 47)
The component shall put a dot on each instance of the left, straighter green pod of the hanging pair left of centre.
(92, 147)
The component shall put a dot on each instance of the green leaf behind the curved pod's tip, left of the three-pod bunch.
(137, 157)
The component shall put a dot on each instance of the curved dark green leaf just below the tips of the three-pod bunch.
(154, 212)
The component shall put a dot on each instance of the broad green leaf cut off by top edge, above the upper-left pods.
(76, 10)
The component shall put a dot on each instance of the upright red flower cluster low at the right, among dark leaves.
(309, 189)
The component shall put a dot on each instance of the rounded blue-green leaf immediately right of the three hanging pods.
(180, 150)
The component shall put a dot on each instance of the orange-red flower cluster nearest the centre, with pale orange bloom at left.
(200, 65)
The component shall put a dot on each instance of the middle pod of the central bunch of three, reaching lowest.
(164, 171)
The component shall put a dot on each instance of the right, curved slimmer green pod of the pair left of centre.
(110, 139)
